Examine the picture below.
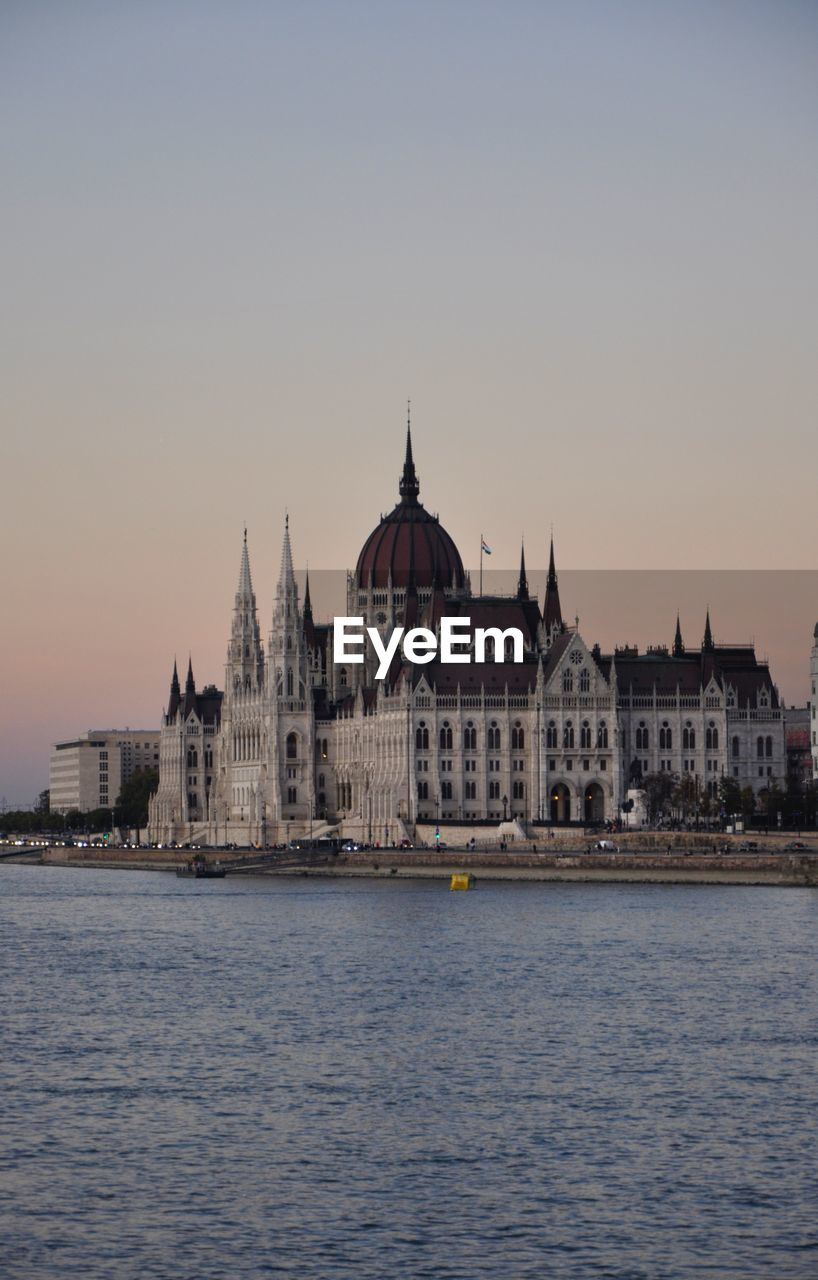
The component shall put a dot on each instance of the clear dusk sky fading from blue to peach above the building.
(237, 237)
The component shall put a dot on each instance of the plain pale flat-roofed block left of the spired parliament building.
(89, 771)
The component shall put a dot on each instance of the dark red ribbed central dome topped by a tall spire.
(409, 545)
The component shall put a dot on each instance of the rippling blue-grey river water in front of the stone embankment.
(385, 1080)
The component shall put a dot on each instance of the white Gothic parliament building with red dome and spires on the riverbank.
(298, 743)
